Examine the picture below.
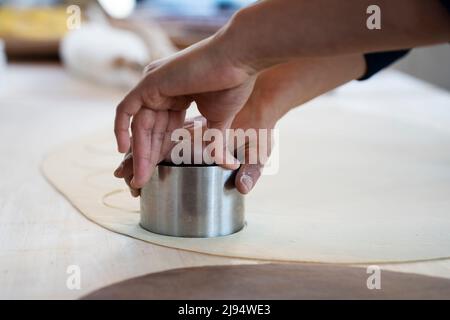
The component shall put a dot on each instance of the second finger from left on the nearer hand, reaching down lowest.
(141, 127)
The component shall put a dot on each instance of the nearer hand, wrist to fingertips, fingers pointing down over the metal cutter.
(203, 74)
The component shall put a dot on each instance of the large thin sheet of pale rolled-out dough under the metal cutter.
(353, 187)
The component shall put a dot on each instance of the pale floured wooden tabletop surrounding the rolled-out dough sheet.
(41, 234)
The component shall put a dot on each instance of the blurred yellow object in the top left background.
(40, 23)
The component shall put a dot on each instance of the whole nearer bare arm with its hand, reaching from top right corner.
(219, 72)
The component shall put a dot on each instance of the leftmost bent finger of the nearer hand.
(124, 111)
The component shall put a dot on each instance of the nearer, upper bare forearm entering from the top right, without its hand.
(274, 31)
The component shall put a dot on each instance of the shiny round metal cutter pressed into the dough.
(192, 201)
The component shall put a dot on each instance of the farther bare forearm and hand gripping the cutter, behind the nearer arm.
(276, 91)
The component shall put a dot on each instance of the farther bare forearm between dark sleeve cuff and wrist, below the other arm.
(286, 86)
